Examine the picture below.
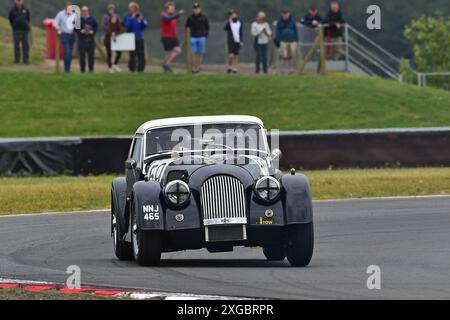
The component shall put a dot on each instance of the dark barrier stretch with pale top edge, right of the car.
(370, 148)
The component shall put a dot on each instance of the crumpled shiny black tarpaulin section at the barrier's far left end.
(49, 156)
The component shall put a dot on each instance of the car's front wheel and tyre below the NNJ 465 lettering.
(146, 244)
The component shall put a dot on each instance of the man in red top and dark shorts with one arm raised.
(169, 37)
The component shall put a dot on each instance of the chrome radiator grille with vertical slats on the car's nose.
(223, 201)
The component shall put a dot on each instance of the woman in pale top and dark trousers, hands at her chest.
(262, 32)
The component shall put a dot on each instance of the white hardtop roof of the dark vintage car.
(197, 120)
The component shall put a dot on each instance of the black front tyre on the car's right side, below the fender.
(301, 245)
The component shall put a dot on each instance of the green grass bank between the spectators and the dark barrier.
(103, 104)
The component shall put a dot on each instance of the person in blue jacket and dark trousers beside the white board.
(136, 24)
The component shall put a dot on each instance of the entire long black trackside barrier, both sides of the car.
(302, 150)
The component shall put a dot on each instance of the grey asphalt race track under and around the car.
(409, 239)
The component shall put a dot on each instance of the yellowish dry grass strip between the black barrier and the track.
(89, 193)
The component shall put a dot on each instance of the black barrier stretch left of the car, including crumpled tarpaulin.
(70, 156)
